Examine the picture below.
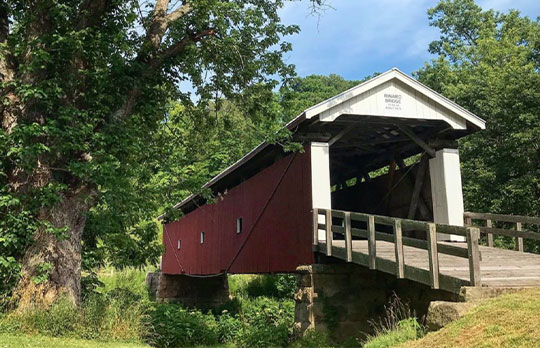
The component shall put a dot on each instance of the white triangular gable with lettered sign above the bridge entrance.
(394, 94)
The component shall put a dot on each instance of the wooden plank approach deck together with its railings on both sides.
(441, 265)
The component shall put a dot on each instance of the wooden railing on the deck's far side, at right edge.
(519, 233)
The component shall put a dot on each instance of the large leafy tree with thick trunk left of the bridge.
(84, 89)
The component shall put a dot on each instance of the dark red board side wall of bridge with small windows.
(276, 234)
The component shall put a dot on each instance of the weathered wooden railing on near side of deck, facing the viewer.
(375, 228)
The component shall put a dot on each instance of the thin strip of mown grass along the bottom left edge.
(36, 341)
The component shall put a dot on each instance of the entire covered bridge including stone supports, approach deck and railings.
(373, 206)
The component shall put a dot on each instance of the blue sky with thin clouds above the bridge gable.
(359, 37)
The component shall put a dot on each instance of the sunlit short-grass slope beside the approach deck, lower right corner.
(509, 321)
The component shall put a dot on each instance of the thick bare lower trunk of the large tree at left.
(51, 266)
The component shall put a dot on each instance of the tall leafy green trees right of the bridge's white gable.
(489, 62)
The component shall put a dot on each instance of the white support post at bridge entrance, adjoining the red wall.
(320, 181)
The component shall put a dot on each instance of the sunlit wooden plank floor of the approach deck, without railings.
(499, 267)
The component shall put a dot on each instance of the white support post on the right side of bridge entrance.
(446, 191)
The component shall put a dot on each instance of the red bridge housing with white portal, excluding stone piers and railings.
(358, 157)
